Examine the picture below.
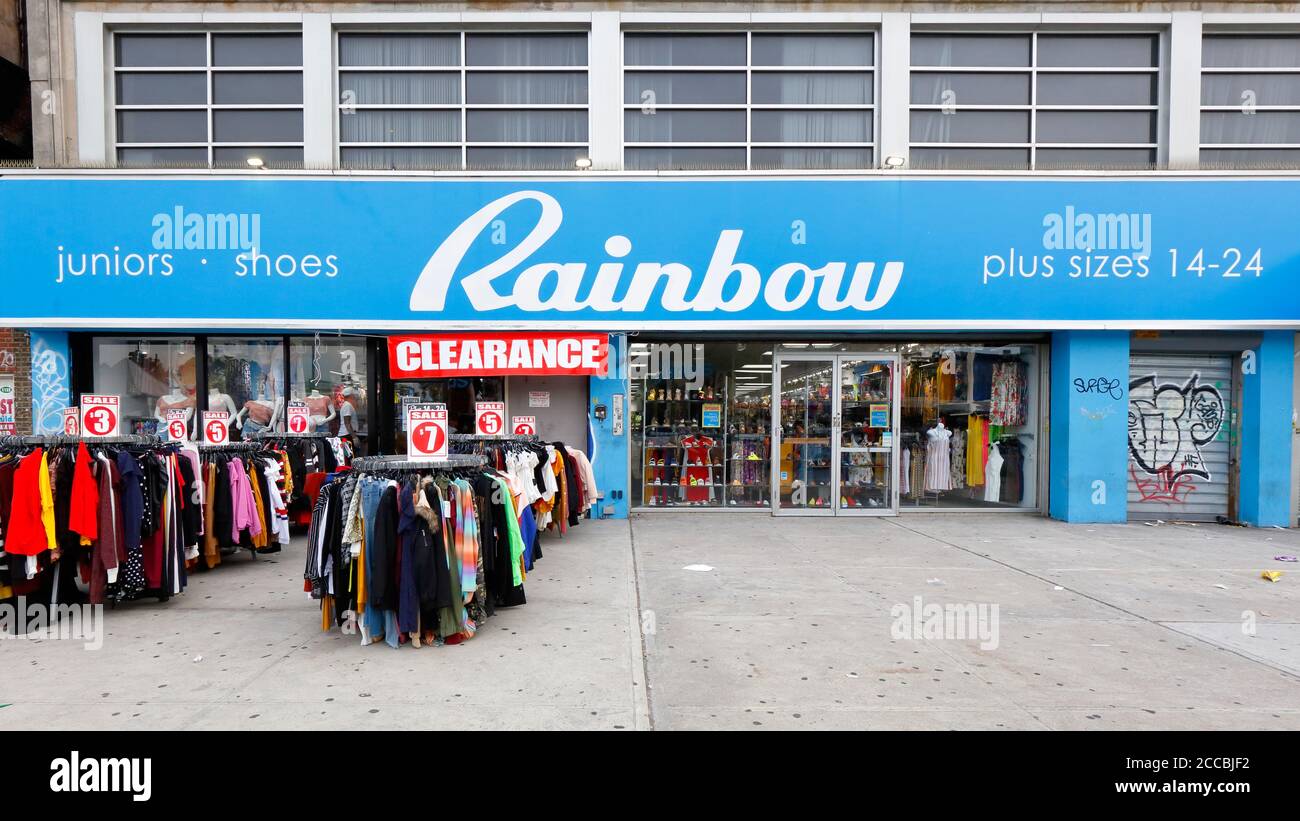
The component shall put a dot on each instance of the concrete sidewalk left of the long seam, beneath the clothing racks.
(569, 659)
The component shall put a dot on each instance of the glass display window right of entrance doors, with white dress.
(970, 425)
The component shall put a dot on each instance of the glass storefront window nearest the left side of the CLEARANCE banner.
(331, 377)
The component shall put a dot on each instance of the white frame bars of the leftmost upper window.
(207, 71)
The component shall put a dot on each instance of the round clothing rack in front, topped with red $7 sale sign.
(417, 551)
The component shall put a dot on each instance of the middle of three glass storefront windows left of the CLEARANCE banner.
(246, 379)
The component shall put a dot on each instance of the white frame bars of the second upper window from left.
(465, 69)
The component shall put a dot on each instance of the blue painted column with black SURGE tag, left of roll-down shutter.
(1090, 427)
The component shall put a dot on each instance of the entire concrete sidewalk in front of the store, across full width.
(791, 628)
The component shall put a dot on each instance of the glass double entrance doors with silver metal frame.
(835, 435)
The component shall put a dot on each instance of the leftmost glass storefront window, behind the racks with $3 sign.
(151, 375)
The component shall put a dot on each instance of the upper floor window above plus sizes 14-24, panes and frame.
(1035, 101)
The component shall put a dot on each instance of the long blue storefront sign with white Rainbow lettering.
(627, 255)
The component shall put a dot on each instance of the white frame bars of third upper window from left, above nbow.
(749, 107)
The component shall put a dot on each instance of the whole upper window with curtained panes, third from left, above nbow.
(748, 101)
